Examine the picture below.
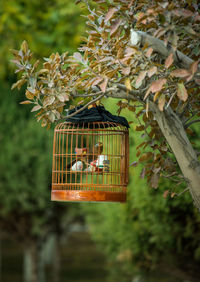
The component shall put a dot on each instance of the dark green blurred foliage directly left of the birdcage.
(25, 174)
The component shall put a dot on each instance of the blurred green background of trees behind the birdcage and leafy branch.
(149, 238)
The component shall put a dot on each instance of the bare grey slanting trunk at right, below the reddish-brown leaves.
(173, 130)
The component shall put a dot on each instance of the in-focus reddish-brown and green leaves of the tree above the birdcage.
(110, 61)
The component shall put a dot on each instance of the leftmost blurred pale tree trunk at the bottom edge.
(30, 263)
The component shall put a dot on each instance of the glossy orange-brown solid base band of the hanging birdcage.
(87, 196)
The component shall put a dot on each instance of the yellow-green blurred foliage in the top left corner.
(54, 25)
